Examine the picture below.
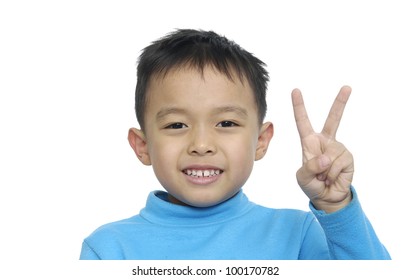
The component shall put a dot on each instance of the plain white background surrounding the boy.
(67, 79)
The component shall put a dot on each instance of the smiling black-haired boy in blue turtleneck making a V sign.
(200, 103)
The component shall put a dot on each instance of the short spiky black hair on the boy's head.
(198, 49)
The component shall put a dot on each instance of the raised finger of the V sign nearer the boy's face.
(301, 117)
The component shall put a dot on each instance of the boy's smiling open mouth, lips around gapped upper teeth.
(213, 174)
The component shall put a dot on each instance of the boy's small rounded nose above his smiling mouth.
(202, 142)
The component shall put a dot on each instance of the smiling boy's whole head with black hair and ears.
(200, 101)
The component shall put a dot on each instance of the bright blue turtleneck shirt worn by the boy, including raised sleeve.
(235, 229)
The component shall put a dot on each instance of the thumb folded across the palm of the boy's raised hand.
(312, 168)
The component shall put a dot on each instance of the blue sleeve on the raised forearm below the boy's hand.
(349, 234)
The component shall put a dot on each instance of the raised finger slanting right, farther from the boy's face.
(336, 112)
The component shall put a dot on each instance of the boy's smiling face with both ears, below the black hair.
(202, 135)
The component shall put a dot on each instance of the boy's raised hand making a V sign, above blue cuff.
(327, 170)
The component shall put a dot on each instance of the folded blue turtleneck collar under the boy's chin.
(159, 210)
